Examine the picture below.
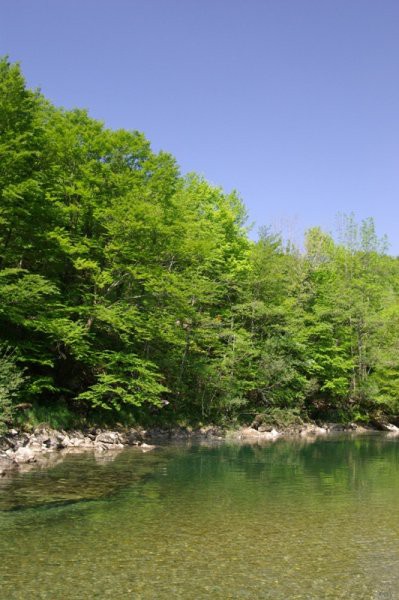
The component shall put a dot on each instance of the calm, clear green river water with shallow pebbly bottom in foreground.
(290, 519)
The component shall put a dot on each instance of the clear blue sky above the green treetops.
(293, 103)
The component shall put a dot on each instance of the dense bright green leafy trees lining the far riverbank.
(128, 290)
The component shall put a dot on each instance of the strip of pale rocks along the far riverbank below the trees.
(19, 448)
